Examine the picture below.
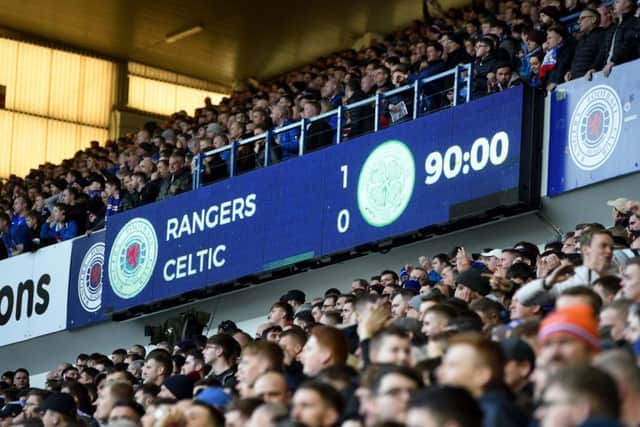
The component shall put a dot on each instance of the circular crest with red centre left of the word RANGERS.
(133, 258)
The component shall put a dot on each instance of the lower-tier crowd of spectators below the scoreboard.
(507, 337)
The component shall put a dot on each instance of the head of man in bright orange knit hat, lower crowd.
(568, 336)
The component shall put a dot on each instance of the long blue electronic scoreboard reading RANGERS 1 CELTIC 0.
(440, 167)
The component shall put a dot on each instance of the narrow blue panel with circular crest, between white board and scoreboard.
(86, 281)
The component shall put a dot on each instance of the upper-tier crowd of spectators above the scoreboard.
(510, 43)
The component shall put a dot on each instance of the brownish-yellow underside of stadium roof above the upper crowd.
(240, 38)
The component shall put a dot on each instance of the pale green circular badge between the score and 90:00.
(386, 183)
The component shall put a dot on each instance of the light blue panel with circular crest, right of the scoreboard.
(593, 129)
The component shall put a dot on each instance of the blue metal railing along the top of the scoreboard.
(418, 101)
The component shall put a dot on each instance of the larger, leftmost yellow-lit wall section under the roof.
(57, 103)
